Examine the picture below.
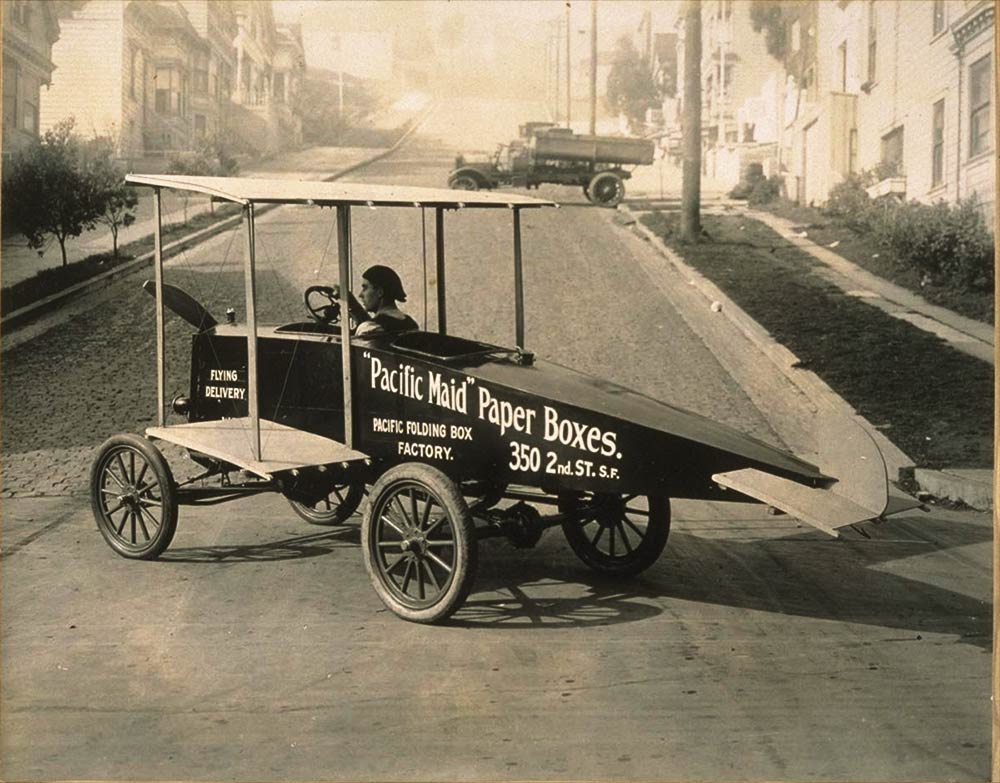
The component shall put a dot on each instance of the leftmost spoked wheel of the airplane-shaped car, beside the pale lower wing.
(133, 497)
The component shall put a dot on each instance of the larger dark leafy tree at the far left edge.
(48, 193)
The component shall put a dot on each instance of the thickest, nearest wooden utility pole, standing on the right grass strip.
(691, 124)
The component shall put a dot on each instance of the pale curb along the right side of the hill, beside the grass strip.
(899, 465)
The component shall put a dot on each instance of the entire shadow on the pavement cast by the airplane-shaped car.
(802, 575)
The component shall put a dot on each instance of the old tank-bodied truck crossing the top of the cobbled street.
(548, 154)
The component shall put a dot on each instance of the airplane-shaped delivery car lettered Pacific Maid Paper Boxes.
(453, 440)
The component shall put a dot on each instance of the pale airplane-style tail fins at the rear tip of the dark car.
(848, 453)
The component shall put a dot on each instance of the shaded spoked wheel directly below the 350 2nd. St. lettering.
(615, 534)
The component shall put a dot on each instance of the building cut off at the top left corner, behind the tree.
(30, 28)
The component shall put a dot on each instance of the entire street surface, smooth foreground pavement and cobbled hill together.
(255, 649)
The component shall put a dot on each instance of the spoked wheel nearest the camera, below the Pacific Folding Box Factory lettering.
(419, 543)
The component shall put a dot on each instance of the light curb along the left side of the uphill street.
(17, 318)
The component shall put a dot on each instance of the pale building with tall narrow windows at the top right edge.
(925, 109)
